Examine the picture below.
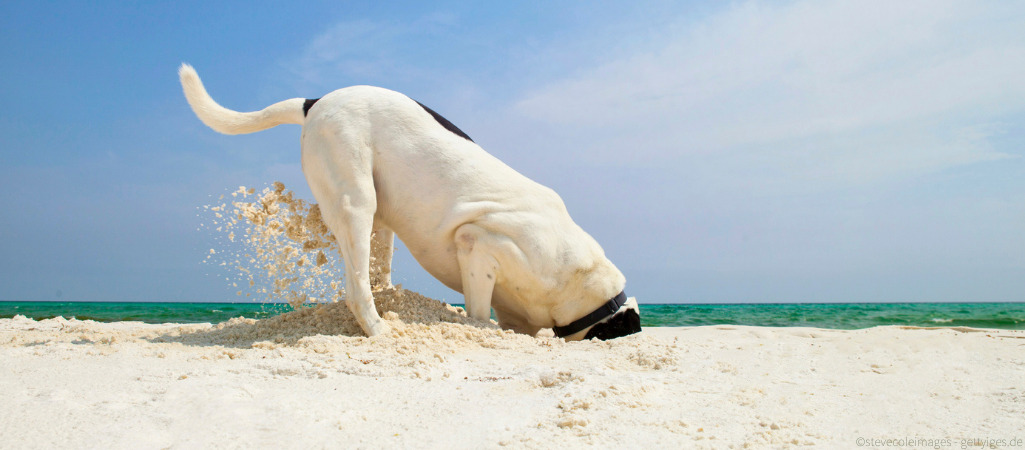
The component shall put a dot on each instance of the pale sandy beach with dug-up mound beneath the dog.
(446, 383)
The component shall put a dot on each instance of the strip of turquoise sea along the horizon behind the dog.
(836, 316)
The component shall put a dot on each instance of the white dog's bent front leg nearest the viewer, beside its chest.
(478, 270)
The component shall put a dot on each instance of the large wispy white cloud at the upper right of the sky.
(848, 91)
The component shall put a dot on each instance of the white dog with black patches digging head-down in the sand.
(381, 165)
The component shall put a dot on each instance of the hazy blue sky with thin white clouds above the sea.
(794, 151)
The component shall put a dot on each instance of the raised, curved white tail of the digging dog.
(234, 122)
